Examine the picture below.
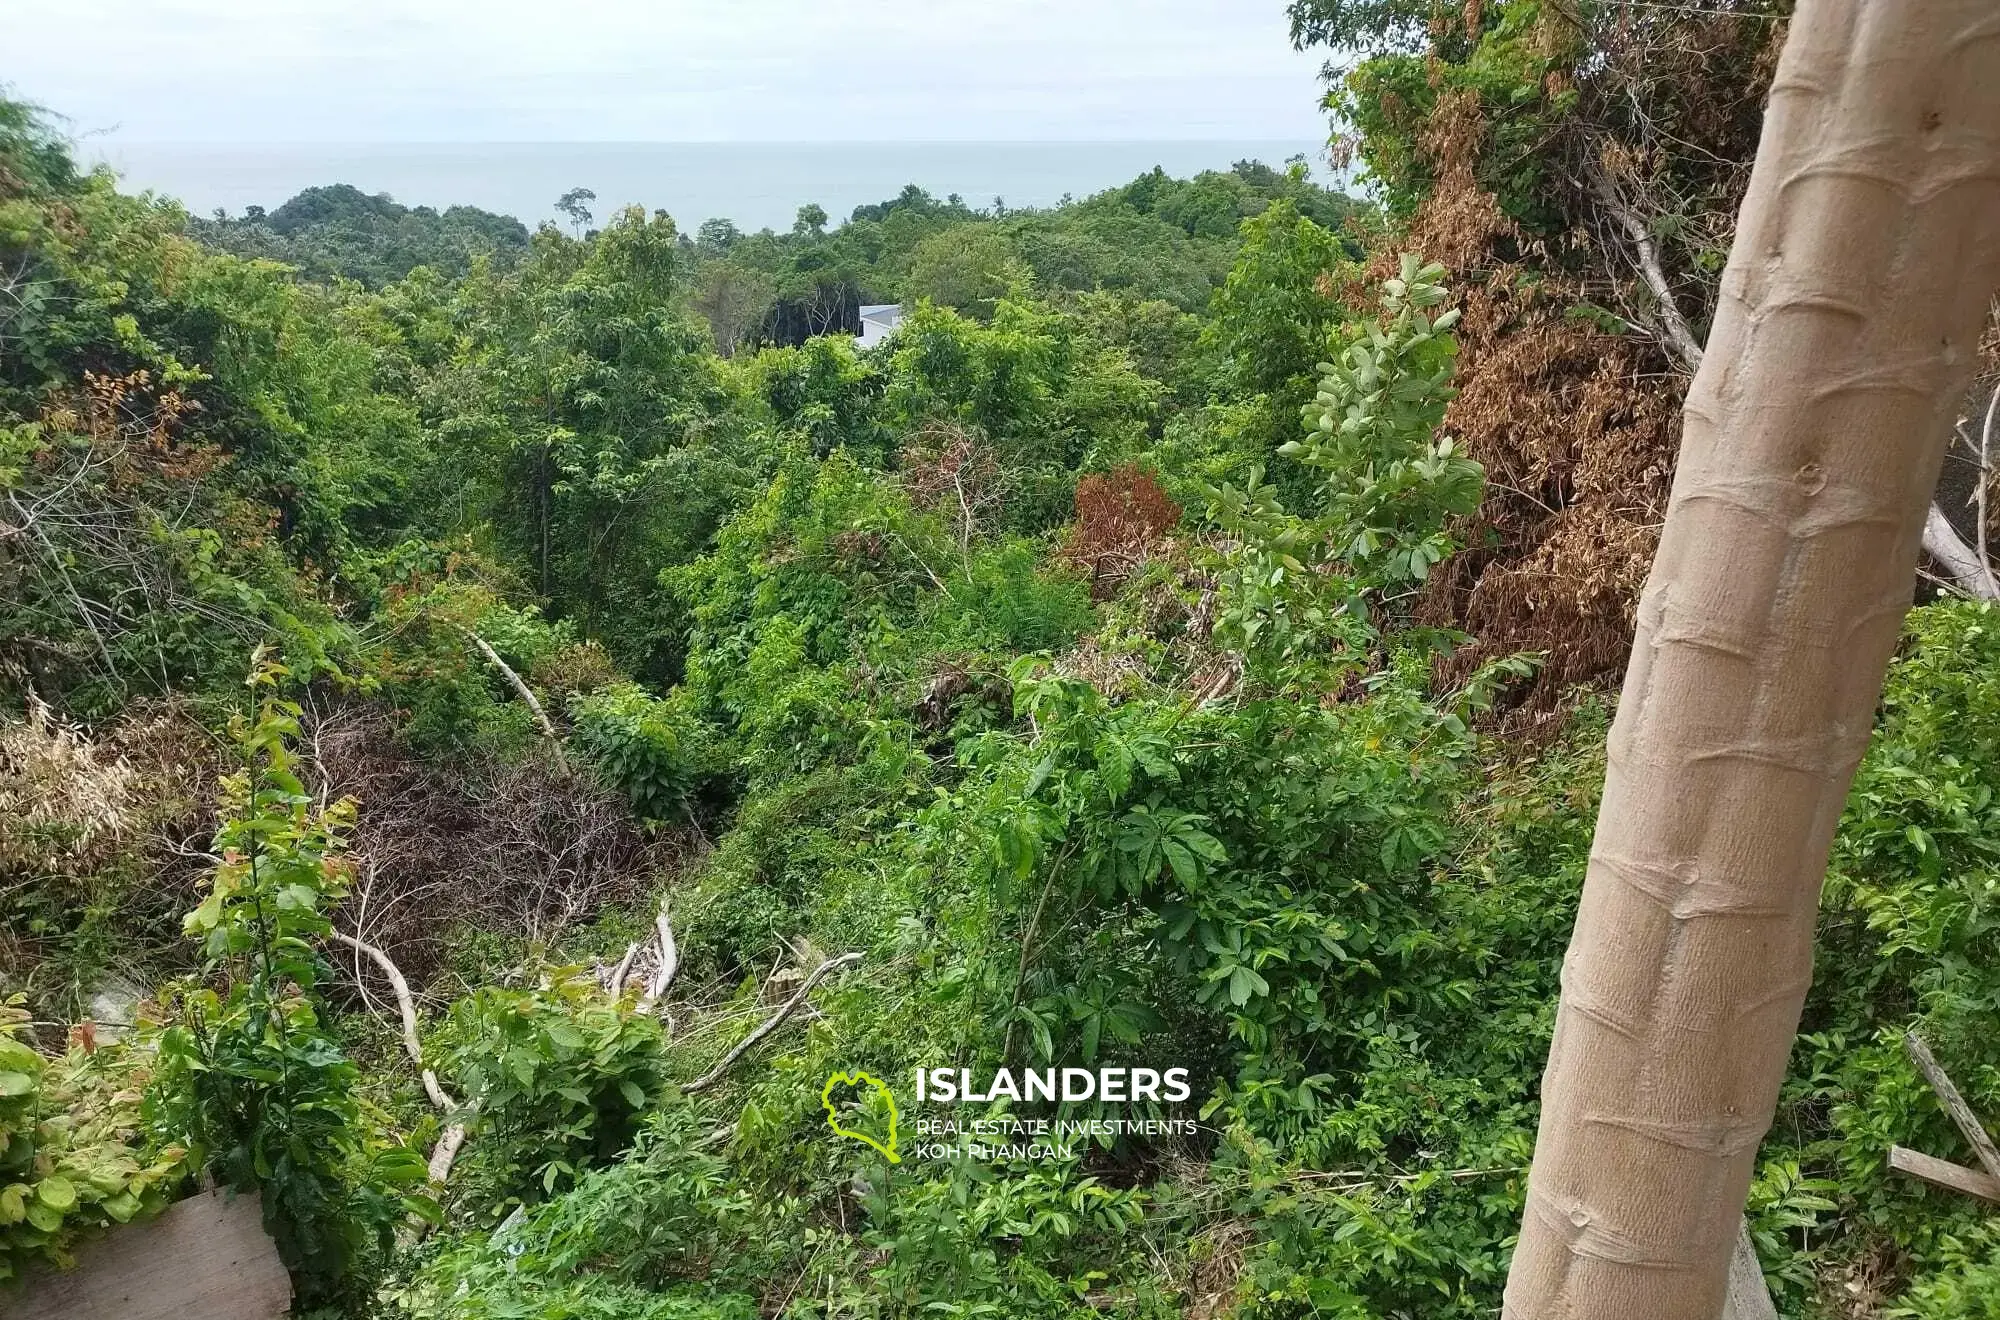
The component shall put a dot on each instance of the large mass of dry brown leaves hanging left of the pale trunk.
(1577, 429)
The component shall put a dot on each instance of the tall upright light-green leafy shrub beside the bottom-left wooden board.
(251, 1079)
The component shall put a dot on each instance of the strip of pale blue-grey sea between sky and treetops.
(757, 185)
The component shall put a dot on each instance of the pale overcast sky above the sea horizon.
(661, 71)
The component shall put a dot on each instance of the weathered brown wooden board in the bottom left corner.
(205, 1257)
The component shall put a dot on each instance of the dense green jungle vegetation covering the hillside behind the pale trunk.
(495, 719)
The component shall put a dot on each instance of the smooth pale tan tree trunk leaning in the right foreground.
(1847, 333)
